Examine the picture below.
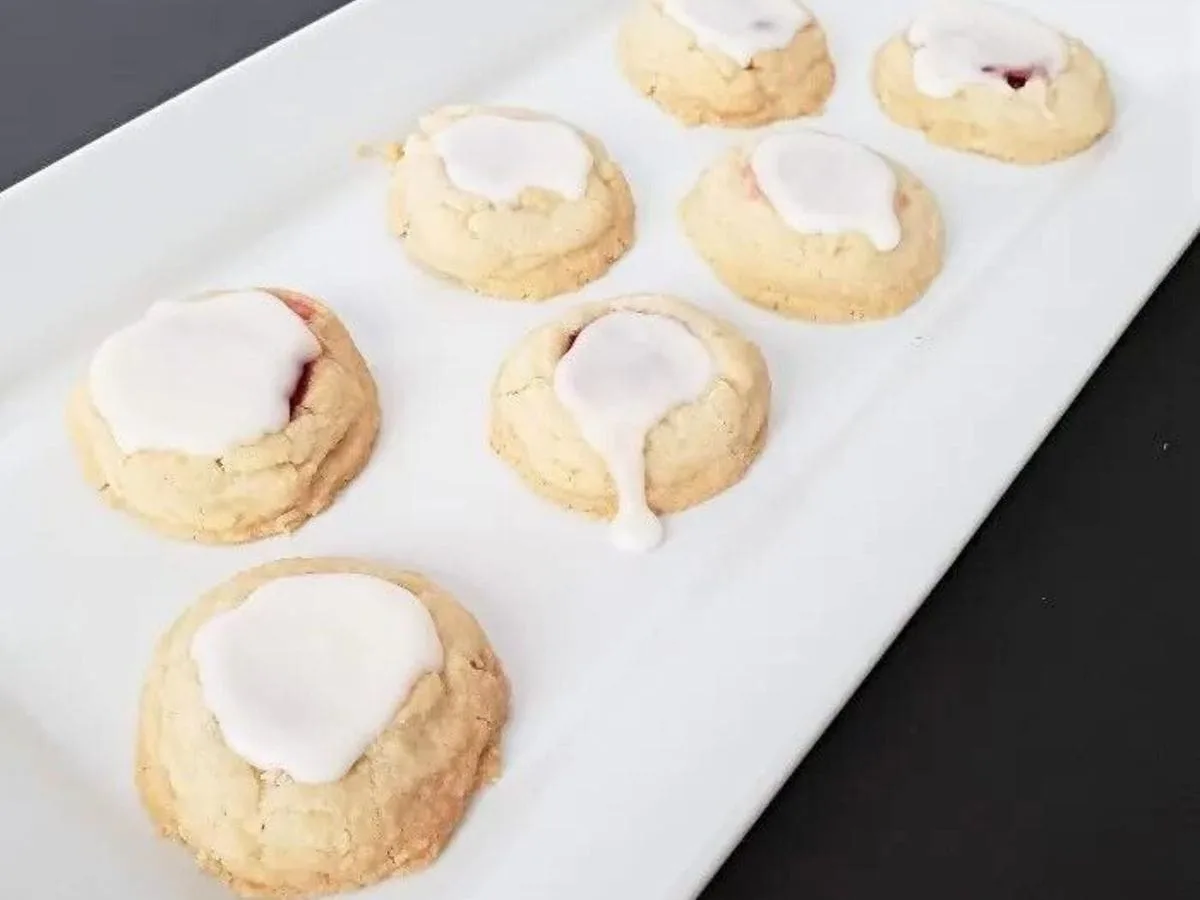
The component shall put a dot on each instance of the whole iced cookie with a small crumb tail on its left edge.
(509, 203)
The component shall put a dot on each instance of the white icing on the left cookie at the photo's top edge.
(741, 29)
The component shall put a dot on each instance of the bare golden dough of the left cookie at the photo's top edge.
(703, 86)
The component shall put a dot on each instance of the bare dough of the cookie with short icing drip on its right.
(831, 278)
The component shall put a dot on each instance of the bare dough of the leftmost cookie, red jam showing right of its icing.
(267, 487)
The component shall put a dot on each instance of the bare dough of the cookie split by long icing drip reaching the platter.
(695, 452)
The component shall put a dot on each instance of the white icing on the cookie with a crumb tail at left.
(499, 158)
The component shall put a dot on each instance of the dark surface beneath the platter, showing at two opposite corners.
(1034, 733)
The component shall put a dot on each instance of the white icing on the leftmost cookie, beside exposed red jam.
(202, 376)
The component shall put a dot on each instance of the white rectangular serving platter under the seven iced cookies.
(658, 700)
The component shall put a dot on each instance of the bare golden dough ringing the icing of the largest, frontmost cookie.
(268, 835)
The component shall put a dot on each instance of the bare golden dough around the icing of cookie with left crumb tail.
(532, 249)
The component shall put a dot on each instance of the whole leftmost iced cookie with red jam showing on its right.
(207, 424)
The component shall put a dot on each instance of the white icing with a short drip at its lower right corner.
(820, 184)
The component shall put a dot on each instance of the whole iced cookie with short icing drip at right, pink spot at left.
(860, 237)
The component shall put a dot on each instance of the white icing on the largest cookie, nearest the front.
(311, 669)
